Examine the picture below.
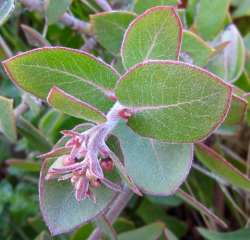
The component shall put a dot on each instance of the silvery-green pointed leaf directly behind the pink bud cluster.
(57, 213)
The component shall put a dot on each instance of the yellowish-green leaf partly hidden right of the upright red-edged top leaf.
(196, 48)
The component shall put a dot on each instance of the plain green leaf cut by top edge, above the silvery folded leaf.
(206, 25)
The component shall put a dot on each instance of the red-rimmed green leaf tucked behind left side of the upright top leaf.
(105, 24)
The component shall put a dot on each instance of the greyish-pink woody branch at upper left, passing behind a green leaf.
(78, 25)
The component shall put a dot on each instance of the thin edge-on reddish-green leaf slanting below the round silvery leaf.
(198, 206)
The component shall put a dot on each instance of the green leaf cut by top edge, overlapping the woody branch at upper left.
(54, 9)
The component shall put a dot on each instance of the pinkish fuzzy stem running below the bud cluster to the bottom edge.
(114, 211)
